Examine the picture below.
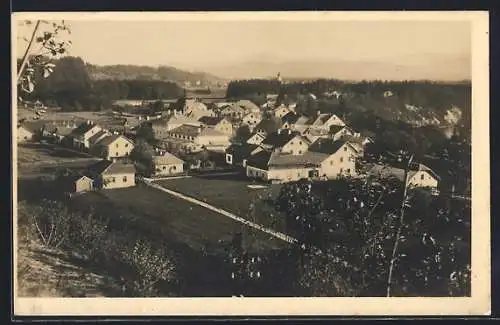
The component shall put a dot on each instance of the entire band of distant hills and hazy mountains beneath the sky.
(415, 68)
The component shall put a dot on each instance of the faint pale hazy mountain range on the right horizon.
(441, 68)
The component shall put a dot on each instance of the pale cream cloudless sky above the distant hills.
(202, 44)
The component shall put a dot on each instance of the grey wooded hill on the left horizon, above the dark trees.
(165, 73)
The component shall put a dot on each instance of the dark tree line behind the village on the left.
(71, 87)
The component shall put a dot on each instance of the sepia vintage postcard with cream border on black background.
(243, 163)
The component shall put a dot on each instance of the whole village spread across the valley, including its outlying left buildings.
(278, 145)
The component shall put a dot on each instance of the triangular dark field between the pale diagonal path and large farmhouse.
(232, 193)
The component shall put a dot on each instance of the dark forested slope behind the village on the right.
(413, 102)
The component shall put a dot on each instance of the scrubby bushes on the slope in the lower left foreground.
(142, 267)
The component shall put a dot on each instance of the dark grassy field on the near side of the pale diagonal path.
(177, 221)
